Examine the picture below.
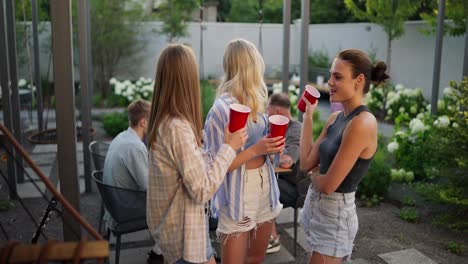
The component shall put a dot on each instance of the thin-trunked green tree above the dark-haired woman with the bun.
(391, 15)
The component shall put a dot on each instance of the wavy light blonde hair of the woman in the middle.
(243, 75)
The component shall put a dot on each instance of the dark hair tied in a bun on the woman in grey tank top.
(361, 63)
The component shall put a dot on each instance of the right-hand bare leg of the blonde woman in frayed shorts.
(259, 242)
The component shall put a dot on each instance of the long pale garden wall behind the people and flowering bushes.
(412, 54)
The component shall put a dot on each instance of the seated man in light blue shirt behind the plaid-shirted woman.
(126, 163)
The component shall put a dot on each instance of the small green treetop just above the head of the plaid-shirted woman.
(175, 14)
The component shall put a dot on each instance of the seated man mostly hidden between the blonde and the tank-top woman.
(279, 104)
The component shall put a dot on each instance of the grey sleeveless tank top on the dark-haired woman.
(330, 145)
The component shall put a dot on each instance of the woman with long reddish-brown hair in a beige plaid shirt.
(182, 177)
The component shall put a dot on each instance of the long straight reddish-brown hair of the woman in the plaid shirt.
(176, 91)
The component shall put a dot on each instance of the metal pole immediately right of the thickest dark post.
(85, 76)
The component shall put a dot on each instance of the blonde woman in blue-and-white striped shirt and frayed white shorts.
(248, 200)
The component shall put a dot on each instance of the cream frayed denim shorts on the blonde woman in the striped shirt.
(257, 206)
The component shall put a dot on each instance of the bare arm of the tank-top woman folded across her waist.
(359, 139)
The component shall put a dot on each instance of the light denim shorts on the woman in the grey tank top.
(330, 223)
